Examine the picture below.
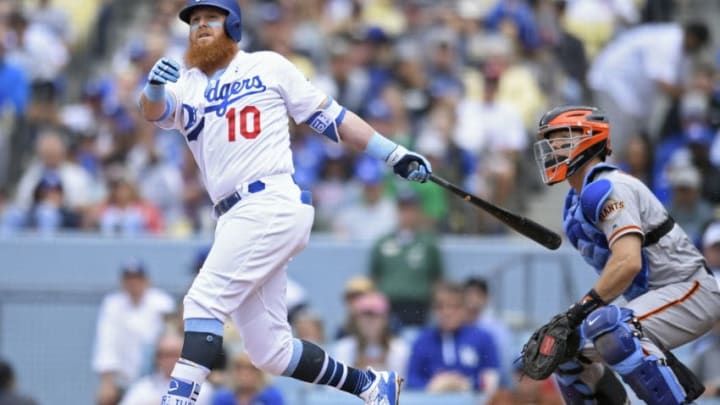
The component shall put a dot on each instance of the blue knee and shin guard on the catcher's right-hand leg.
(618, 343)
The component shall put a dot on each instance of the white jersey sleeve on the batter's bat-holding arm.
(301, 97)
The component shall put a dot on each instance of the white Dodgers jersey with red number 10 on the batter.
(236, 123)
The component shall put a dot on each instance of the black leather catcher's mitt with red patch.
(553, 344)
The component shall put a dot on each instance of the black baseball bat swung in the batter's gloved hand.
(523, 225)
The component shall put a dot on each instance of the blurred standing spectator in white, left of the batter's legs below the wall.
(129, 323)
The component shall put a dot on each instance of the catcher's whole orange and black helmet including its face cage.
(568, 137)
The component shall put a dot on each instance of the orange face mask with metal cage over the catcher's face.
(557, 149)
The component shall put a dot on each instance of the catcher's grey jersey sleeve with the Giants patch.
(620, 213)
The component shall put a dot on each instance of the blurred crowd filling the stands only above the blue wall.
(463, 82)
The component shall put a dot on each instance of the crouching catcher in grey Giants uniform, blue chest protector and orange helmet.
(627, 236)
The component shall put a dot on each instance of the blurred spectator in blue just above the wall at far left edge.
(48, 213)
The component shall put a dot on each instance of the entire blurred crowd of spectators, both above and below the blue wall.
(463, 82)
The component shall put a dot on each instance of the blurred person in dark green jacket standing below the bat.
(405, 264)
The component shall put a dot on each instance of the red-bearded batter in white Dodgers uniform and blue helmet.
(233, 108)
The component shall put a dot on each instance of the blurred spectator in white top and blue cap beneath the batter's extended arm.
(373, 215)
